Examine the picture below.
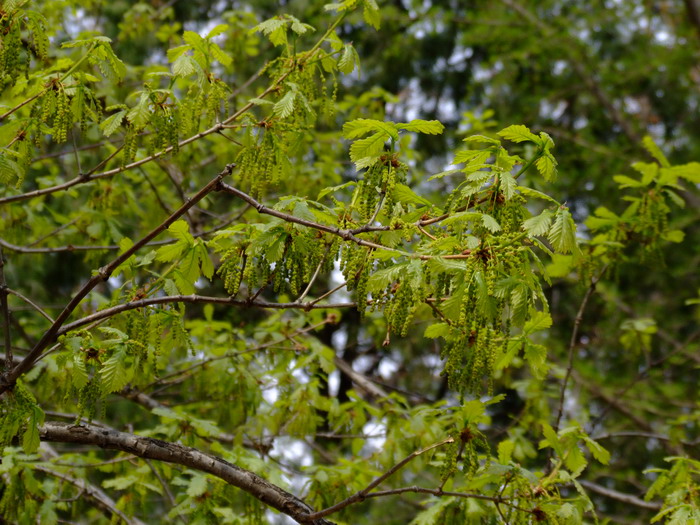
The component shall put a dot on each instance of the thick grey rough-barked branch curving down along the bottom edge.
(156, 449)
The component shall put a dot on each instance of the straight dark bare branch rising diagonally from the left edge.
(7, 381)
